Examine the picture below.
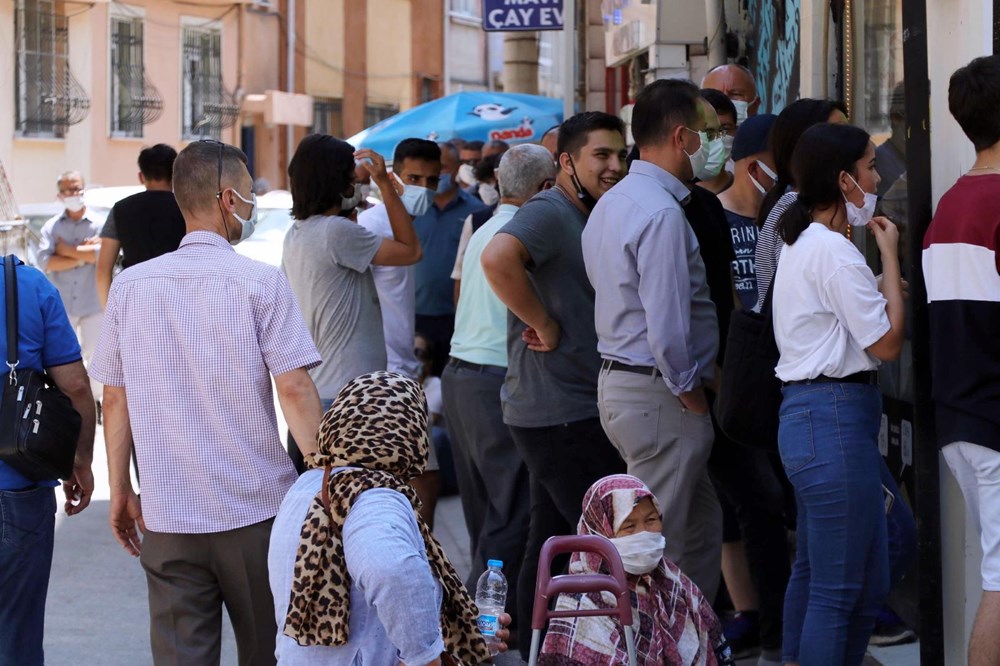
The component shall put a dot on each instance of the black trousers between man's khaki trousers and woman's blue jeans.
(748, 483)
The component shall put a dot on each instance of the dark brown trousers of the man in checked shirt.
(190, 577)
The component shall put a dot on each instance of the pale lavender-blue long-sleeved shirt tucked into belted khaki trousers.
(652, 303)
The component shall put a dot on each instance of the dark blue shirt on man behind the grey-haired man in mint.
(439, 231)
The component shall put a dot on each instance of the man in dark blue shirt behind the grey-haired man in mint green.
(439, 231)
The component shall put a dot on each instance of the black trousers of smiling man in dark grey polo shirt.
(563, 462)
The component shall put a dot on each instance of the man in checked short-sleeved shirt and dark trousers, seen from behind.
(191, 342)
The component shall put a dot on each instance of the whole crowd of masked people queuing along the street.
(545, 324)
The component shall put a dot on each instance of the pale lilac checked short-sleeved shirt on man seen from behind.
(194, 336)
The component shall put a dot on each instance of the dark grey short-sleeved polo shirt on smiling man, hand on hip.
(552, 388)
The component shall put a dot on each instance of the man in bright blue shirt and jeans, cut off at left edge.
(46, 341)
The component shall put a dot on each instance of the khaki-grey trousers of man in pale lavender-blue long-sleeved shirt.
(667, 447)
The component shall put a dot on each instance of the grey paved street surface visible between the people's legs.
(97, 613)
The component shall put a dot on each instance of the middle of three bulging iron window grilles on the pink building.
(135, 101)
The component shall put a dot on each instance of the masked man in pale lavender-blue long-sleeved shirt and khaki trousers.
(656, 325)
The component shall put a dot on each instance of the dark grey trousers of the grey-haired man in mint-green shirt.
(492, 477)
